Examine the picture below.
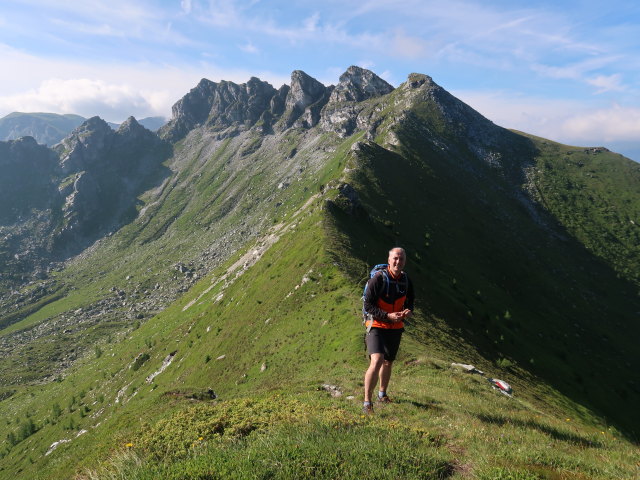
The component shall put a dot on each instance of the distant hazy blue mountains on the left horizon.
(51, 128)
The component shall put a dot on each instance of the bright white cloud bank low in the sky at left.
(111, 91)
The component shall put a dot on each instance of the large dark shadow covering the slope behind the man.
(504, 276)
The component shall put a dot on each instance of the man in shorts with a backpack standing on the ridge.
(388, 300)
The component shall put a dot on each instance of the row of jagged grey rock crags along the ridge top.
(228, 108)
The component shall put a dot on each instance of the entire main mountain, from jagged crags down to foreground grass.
(272, 208)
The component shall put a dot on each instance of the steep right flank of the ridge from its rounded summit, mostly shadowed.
(500, 267)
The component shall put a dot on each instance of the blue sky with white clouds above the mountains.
(568, 71)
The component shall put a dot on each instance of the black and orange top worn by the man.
(388, 295)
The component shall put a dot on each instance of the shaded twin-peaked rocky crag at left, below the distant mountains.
(103, 172)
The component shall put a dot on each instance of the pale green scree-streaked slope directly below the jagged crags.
(217, 199)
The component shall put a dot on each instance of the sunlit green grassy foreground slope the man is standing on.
(266, 340)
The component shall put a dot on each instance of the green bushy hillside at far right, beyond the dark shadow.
(594, 194)
